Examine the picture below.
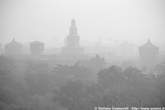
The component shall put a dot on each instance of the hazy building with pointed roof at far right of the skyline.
(148, 54)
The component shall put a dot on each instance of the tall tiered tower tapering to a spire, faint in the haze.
(72, 49)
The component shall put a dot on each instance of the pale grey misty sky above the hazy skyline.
(48, 20)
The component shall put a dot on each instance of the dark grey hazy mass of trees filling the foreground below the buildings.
(28, 84)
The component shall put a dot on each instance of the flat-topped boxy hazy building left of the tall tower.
(36, 48)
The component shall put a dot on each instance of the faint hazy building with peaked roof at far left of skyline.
(13, 48)
